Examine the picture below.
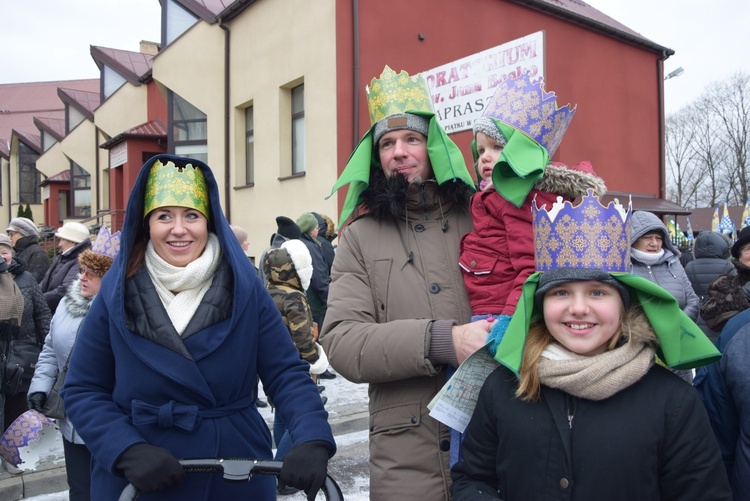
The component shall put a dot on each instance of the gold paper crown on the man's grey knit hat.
(393, 94)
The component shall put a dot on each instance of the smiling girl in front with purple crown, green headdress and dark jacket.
(578, 408)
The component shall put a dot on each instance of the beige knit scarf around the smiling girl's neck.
(596, 377)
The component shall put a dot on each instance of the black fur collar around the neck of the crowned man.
(392, 199)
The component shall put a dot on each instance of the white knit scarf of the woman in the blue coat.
(181, 289)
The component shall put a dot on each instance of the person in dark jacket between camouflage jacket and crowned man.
(317, 293)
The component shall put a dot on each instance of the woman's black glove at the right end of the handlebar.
(305, 467)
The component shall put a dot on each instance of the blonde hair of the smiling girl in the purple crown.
(632, 322)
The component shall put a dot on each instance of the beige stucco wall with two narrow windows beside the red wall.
(266, 62)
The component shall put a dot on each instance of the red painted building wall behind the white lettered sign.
(614, 85)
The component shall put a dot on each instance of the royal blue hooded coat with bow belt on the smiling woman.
(196, 400)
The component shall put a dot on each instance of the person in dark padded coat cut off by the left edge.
(34, 327)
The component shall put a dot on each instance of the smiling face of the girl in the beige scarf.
(583, 316)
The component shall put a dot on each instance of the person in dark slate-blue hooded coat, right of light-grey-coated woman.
(711, 252)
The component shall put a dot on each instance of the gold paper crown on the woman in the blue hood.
(173, 185)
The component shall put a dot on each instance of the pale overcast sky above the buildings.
(45, 40)
